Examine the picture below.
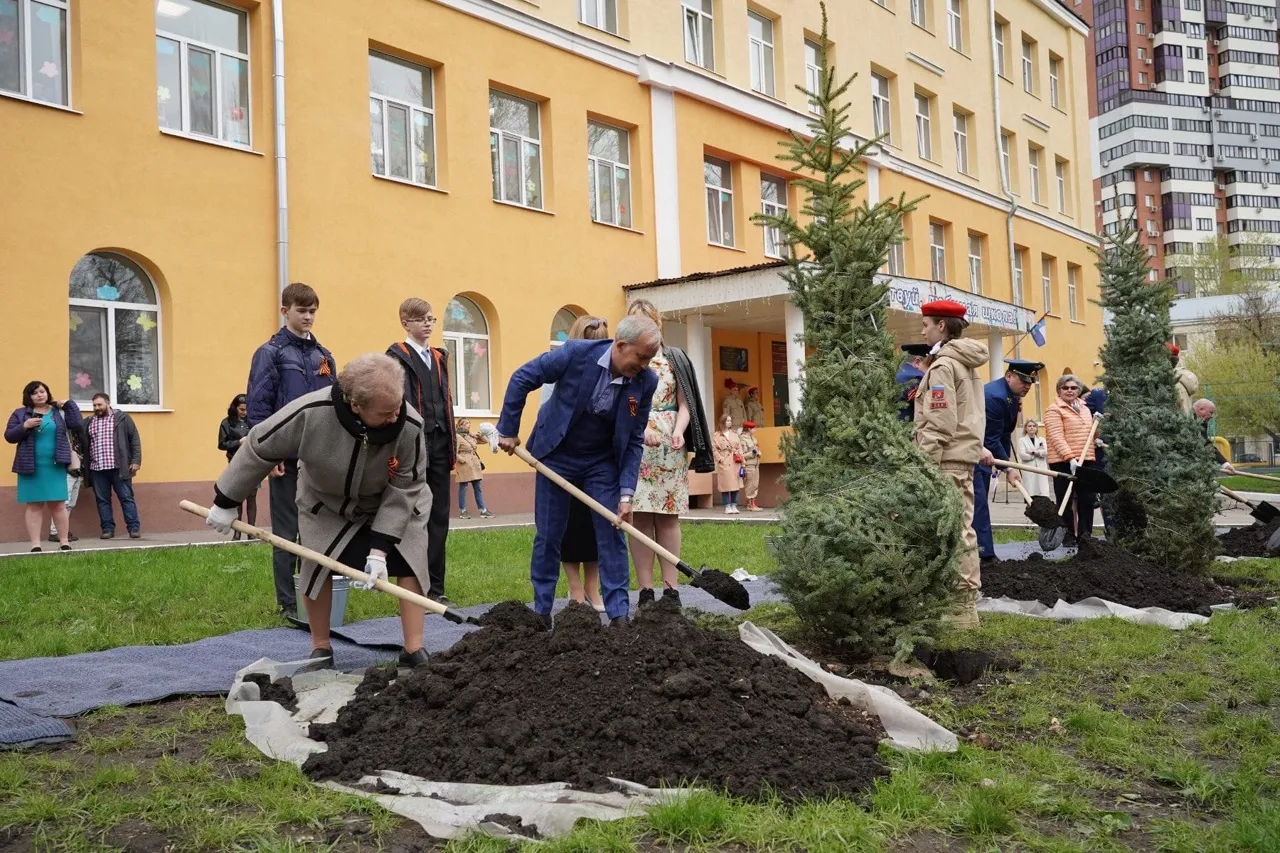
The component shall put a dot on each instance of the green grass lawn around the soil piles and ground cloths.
(1112, 736)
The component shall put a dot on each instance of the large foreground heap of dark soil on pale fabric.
(660, 703)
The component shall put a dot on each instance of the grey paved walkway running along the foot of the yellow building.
(1003, 516)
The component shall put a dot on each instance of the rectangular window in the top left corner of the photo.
(34, 52)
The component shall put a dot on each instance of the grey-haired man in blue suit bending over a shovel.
(591, 432)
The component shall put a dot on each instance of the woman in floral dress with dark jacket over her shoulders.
(678, 428)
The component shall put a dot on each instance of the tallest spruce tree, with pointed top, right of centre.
(867, 553)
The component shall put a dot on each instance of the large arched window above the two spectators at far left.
(115, 332)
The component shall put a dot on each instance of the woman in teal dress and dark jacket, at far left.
(40, 431)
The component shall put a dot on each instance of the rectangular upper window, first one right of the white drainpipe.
(401, 121)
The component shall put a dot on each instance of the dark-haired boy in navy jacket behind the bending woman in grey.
(291, 364)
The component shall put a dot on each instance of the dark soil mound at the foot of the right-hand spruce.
(1107, 572)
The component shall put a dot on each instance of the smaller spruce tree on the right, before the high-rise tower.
(1165, 508)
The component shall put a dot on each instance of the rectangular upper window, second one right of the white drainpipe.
(515, 150)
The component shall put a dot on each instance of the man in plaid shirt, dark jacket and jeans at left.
(115, 458)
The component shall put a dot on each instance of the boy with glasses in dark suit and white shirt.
(427, 390)
